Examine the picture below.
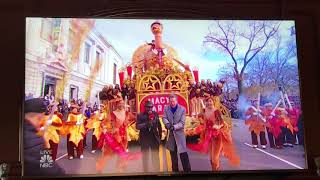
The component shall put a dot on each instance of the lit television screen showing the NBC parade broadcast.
(142, 96)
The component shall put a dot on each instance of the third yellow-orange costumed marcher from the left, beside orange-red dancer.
(94, 123)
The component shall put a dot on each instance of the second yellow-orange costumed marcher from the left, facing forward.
(75, 131)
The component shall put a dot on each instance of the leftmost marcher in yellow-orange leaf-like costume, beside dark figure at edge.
(49, 129)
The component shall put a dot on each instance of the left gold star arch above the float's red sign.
(149, 83)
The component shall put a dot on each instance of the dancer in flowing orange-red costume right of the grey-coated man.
(217, 138)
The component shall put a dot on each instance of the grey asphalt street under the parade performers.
(250, 158)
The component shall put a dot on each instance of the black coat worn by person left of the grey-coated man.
(147, 137)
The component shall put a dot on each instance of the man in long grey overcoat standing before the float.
(174, 119)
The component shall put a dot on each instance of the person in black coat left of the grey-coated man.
(149, 136)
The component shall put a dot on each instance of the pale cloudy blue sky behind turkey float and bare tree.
(185, 36)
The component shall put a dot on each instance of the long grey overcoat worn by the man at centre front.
(177, 136)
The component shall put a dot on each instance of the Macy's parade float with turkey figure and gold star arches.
(155, 72)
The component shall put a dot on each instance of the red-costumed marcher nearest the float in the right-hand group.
(257, 125)
